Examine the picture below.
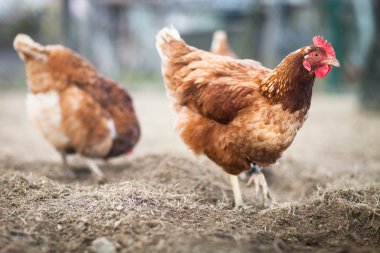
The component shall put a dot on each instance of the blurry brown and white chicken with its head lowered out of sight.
(76, 109)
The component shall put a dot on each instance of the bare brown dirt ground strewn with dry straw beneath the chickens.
(162, 198)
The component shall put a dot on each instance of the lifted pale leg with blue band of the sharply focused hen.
(258, 178)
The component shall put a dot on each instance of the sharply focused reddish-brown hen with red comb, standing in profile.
(237, 112)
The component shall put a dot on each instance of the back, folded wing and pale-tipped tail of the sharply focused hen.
(196, 78)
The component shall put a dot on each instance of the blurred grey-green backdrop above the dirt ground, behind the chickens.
(118, 36)
